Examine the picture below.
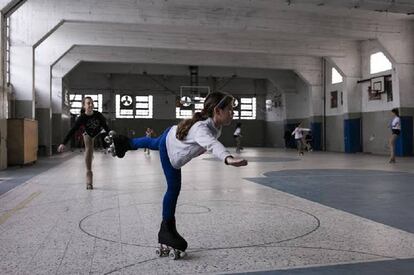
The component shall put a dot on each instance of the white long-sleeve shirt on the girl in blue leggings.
(202, 137)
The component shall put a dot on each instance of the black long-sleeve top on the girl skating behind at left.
(93, 125)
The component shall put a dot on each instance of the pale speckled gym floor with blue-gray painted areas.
(270, 216)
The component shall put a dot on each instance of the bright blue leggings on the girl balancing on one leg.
(172, 175)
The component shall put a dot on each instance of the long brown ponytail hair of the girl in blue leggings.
(213, 100)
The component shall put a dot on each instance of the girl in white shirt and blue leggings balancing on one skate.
(177, 146)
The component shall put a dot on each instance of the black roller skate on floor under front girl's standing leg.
(171, 243)
